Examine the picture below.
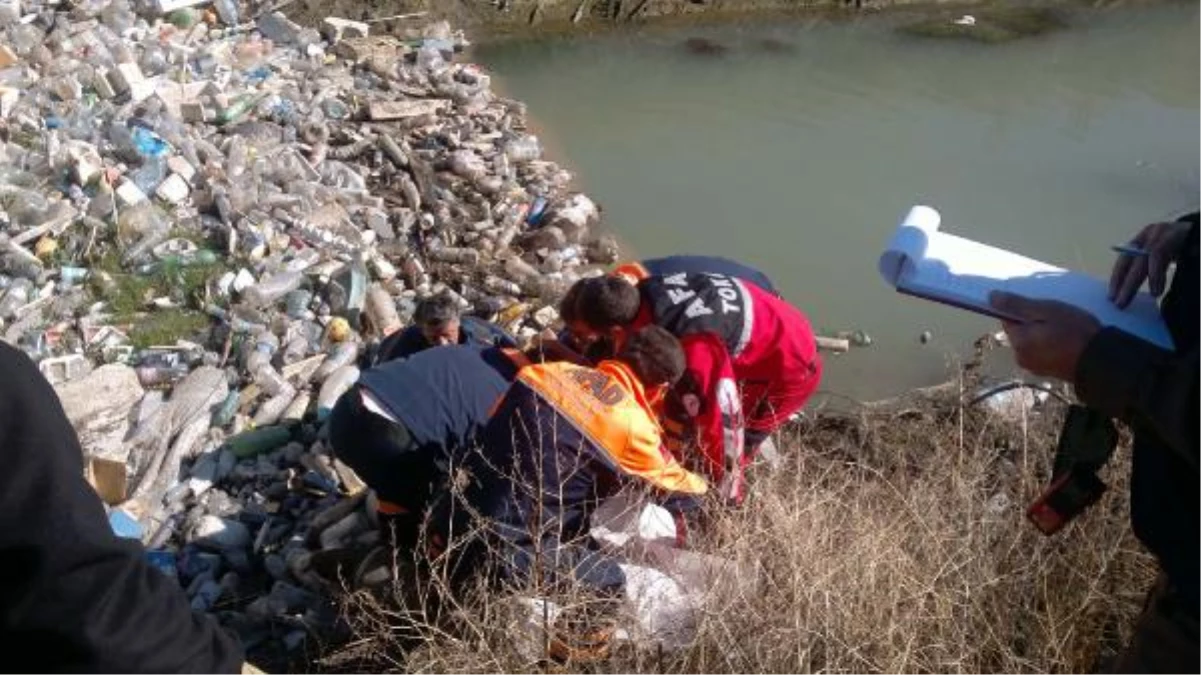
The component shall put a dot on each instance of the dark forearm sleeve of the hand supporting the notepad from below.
(1145, 386)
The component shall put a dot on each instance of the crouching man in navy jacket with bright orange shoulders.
(564, 439)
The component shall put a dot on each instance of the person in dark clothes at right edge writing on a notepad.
(1158, 393)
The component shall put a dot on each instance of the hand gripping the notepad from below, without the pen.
(1050, 337)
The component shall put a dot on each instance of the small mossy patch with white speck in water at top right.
(991, 27)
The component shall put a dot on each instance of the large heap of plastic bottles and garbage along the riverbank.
(208, 213)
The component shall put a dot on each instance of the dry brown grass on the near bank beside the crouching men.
(893, 540)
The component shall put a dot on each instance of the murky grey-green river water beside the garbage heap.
(803, 160)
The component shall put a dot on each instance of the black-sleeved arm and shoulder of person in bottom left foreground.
(74, 598)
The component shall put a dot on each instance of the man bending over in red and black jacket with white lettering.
(752, 357)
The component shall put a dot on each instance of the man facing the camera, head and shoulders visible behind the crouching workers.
(438, 322)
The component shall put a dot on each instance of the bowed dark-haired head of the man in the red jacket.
(601, 307)
